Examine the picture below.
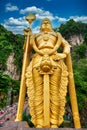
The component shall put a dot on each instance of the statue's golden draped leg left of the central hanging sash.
(38, 101)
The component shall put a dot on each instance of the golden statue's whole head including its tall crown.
(46, 25)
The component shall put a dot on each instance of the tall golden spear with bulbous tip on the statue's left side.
(30, 18)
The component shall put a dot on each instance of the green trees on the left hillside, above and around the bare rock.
(10, 43)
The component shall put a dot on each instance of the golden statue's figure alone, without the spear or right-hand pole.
(48, 70)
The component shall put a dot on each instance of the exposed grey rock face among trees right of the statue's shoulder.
(75, 40)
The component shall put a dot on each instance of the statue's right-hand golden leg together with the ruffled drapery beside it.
(58, 85)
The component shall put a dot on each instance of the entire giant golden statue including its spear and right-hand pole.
(47, 76)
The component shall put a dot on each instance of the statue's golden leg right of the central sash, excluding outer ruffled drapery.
(54, 96)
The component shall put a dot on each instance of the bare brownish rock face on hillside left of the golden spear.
(11, 68)
